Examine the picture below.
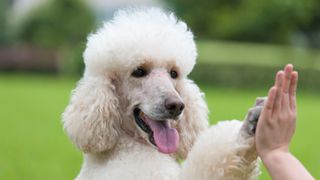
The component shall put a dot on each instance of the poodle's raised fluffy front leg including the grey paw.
(225, 151)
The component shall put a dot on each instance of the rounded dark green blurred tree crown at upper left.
(57, 23)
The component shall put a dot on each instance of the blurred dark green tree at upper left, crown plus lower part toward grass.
(62, 25)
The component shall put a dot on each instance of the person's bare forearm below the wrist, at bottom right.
(284, 166)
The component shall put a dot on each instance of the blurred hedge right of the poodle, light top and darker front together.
(251, 65)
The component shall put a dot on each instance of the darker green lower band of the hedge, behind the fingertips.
(249, 76)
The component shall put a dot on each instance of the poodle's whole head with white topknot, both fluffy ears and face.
(136, 80)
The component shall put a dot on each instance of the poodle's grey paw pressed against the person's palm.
(251, 119)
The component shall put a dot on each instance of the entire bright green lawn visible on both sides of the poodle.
(34, 146)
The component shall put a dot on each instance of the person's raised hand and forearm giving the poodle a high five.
(276, 127)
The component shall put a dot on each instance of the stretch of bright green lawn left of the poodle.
(33, 145)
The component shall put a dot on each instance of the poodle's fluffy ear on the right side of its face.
(194, 118)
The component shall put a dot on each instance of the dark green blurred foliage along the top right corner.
(271, 21)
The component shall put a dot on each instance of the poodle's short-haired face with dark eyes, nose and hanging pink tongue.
(153, 103)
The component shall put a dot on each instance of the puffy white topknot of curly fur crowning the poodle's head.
(136, 34)
